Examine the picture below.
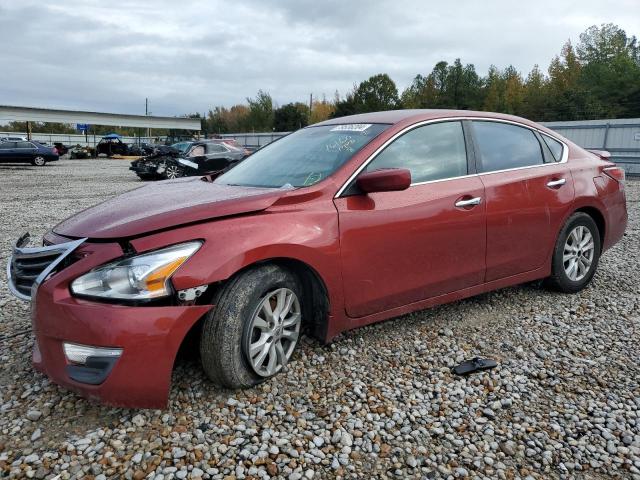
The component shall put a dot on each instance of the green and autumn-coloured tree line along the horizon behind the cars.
(598, 78)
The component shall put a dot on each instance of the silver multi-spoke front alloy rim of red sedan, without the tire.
(273, 332)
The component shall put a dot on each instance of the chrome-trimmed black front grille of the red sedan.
(29, 266)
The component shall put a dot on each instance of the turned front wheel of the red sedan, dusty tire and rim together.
(254, 329)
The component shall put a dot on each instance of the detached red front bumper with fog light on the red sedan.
(119, 355)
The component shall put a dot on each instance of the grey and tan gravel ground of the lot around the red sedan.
(378, 402)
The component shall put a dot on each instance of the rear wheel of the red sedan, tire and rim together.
(575, 255)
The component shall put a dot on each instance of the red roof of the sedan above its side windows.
(417, 115)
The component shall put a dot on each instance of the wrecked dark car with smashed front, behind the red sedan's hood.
(185, 159)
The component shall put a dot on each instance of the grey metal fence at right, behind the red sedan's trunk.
(621, 137)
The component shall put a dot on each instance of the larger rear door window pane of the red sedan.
(503, 146)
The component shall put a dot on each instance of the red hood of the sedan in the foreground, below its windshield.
(162, 205)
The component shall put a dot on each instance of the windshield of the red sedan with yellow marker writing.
(303, 158)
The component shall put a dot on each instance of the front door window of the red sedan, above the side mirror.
(432, 152)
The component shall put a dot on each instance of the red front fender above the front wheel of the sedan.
(233, 244)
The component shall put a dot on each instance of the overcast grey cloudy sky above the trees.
(188, 56)
